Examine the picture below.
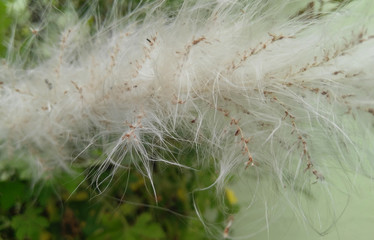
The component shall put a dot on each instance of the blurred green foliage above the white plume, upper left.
(28, 28)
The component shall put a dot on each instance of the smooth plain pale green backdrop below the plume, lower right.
(356, 221)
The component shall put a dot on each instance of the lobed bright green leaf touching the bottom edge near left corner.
(30, 224)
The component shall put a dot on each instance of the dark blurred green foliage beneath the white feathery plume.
(68, 206)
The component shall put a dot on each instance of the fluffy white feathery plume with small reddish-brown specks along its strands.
(265, 93)
